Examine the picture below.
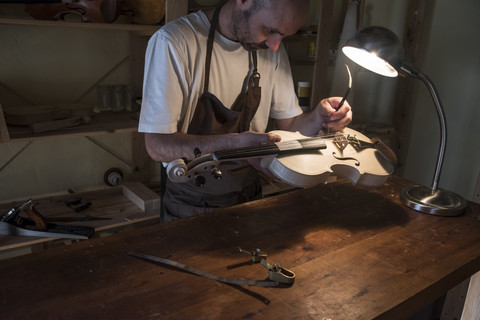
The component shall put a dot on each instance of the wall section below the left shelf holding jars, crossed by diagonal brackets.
(53, 166)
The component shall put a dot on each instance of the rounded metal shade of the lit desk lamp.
(377, 49)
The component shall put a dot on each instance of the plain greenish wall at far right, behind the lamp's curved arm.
(450, 56)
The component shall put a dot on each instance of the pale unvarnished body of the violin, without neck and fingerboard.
(366, 167)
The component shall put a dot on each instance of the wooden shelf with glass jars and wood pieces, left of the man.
(102, 123)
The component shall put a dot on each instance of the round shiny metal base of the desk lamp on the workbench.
(435, 202)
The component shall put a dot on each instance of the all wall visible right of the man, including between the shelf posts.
(449, 55)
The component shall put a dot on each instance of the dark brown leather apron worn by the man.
(240, 181)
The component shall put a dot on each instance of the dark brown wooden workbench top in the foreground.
(357, 254)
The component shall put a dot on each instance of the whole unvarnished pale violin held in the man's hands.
(301, 161)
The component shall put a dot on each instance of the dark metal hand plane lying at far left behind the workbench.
(35, 225)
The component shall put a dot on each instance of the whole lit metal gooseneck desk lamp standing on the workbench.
(379, 50)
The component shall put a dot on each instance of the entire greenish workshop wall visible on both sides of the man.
(50, 65)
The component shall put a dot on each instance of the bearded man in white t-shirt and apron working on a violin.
(210, 84)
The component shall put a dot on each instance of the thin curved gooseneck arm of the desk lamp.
(409, 69)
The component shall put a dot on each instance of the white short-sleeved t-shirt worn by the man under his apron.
(175, 72)
